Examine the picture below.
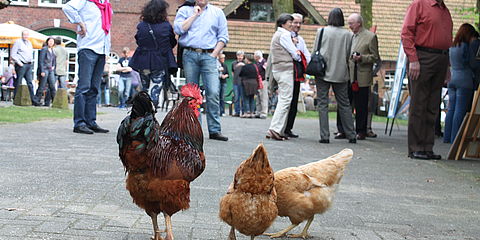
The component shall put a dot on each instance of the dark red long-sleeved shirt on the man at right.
(427, 24)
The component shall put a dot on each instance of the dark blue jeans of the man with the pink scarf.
(90, 69)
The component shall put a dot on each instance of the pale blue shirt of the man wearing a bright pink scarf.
(87, 12)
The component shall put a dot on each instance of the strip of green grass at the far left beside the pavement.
(15, 114)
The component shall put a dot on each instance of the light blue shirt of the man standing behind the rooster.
(206, 30)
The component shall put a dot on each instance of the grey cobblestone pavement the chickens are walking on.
(55, 184)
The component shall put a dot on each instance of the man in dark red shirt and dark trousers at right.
(426, 37)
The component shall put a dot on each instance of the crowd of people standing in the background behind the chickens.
(351, 56)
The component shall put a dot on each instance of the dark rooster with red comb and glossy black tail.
(161, 160)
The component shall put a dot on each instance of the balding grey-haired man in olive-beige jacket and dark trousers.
(364, 55)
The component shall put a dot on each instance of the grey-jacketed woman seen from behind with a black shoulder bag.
(335, 48)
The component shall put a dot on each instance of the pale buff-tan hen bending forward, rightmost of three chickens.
(307, 190)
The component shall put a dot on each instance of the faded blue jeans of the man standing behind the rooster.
(203, 65)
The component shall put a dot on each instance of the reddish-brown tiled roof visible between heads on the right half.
(387, 15)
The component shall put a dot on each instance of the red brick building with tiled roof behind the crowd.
(251, 22)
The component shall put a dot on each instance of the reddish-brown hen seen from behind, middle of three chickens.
(249, 205)
